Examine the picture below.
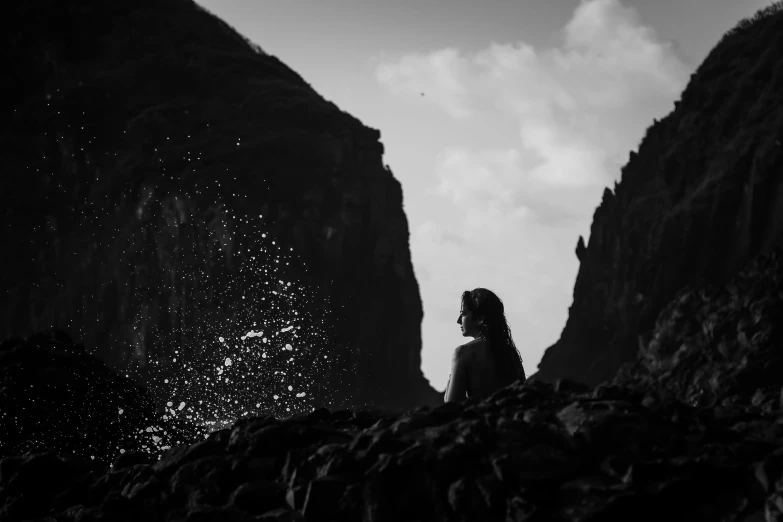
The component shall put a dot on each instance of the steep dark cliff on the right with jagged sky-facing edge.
(700, 199)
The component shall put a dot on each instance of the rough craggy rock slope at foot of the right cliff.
(718, 344)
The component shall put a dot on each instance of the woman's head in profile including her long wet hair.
(482, 315)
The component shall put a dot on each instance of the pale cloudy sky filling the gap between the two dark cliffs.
(502, 119)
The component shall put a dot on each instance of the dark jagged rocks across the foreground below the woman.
(532, 452)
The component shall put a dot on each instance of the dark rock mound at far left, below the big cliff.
(55, 395)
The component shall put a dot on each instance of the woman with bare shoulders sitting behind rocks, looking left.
(490, 361)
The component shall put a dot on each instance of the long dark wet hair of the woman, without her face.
(487, 306)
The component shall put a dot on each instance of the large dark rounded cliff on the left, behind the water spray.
(169, 187)
